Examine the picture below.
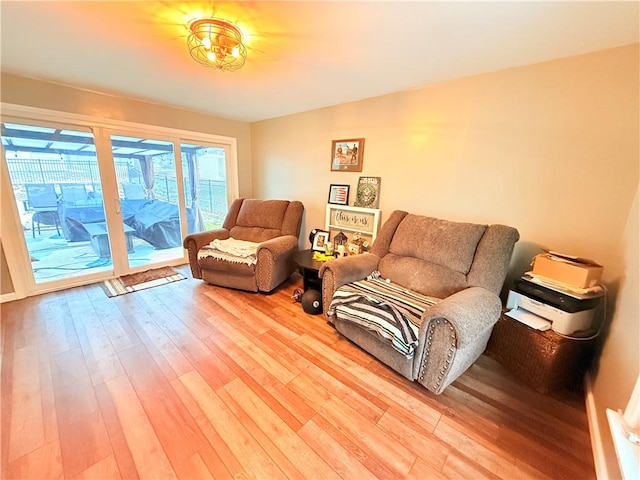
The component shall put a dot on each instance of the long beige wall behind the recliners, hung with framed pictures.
(551, 149)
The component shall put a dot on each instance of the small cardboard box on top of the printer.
(574, 271)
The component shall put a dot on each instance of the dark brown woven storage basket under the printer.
(545, 361)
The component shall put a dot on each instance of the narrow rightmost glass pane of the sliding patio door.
(205, 185)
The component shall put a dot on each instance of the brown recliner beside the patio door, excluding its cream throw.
(274, 224)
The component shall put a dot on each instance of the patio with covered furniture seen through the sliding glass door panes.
(58, 238)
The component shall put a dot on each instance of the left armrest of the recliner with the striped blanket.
(341, 271)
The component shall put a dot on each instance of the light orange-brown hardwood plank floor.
(191, 381)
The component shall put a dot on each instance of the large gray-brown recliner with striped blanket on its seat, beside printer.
(445, 277)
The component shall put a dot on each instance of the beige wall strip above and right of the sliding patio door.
(34, 93)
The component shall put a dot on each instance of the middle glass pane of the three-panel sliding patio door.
(148, 191)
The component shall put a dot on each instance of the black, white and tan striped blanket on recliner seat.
(390, 310)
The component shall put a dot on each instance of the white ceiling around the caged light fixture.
(302, 55)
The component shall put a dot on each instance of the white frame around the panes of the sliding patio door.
(11, 236)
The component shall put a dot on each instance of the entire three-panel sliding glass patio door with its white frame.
(93, 202)
